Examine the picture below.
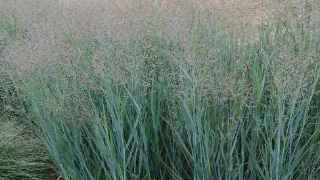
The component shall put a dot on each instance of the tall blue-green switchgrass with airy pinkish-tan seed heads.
(168, 91)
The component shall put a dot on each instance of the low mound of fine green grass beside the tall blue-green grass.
(22, 155)
